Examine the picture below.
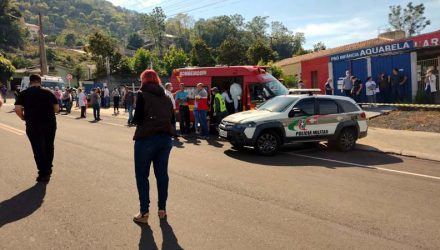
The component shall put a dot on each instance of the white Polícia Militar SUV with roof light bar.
(296, 118)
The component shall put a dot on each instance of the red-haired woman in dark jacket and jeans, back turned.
(153, 143)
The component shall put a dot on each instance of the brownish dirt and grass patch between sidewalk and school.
(420, 120)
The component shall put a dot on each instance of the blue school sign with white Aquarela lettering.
(381, 49)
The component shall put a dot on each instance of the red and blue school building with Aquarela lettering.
(412, 56)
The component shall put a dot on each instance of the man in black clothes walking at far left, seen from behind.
(37, 106)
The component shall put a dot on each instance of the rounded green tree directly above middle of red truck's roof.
(232, 52)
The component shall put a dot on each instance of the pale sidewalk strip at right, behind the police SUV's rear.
(421, 145)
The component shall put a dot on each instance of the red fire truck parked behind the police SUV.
(256, 83)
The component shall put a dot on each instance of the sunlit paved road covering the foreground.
(304, 198)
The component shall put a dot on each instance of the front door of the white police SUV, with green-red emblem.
(303, 123)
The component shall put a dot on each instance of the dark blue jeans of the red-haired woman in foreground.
(154, 149)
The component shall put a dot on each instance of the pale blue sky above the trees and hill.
(333, 22)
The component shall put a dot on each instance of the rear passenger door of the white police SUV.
(329, 116)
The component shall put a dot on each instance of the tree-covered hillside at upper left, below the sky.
(80, 17)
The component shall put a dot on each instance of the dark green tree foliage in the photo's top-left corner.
(12, 35)
